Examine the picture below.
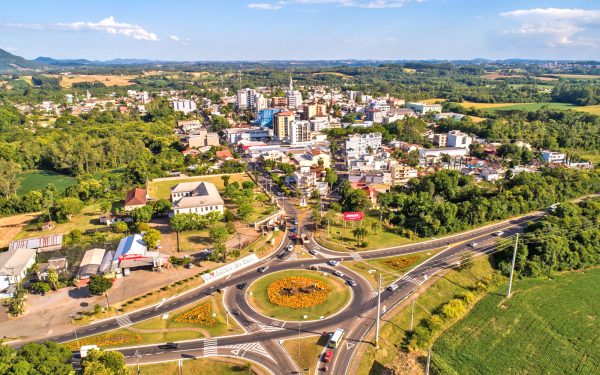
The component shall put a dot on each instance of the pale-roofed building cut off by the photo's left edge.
(14, 264)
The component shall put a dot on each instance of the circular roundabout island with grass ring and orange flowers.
(298, 295)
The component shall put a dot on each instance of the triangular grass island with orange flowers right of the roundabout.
(389, 268)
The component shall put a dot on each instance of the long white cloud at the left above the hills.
(107, 25)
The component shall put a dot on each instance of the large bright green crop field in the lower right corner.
(547, 327)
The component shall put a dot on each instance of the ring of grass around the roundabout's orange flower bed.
(338, 297)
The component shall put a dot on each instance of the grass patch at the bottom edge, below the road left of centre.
(217, 366)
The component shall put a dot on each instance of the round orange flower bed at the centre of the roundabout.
(297, 292)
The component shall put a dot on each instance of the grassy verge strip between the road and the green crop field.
(396, 324)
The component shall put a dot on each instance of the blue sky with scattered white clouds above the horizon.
(302, 29)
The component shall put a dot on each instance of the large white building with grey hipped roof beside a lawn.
(196, 197)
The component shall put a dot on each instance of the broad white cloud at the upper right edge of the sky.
(555, 27)
